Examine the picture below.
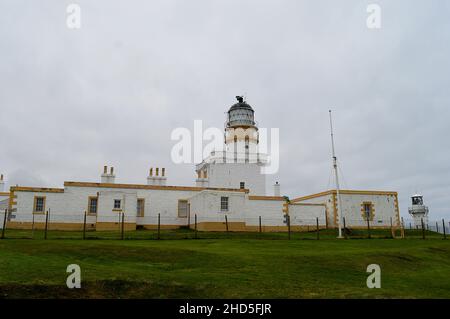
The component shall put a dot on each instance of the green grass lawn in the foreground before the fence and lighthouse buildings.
(228, 266)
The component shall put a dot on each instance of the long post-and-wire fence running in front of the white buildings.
(160, 226)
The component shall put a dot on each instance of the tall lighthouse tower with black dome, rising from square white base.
(239, 164)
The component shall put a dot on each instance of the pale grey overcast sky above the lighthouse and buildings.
(110, 93)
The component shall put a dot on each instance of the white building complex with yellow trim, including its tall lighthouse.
(229, 187)
